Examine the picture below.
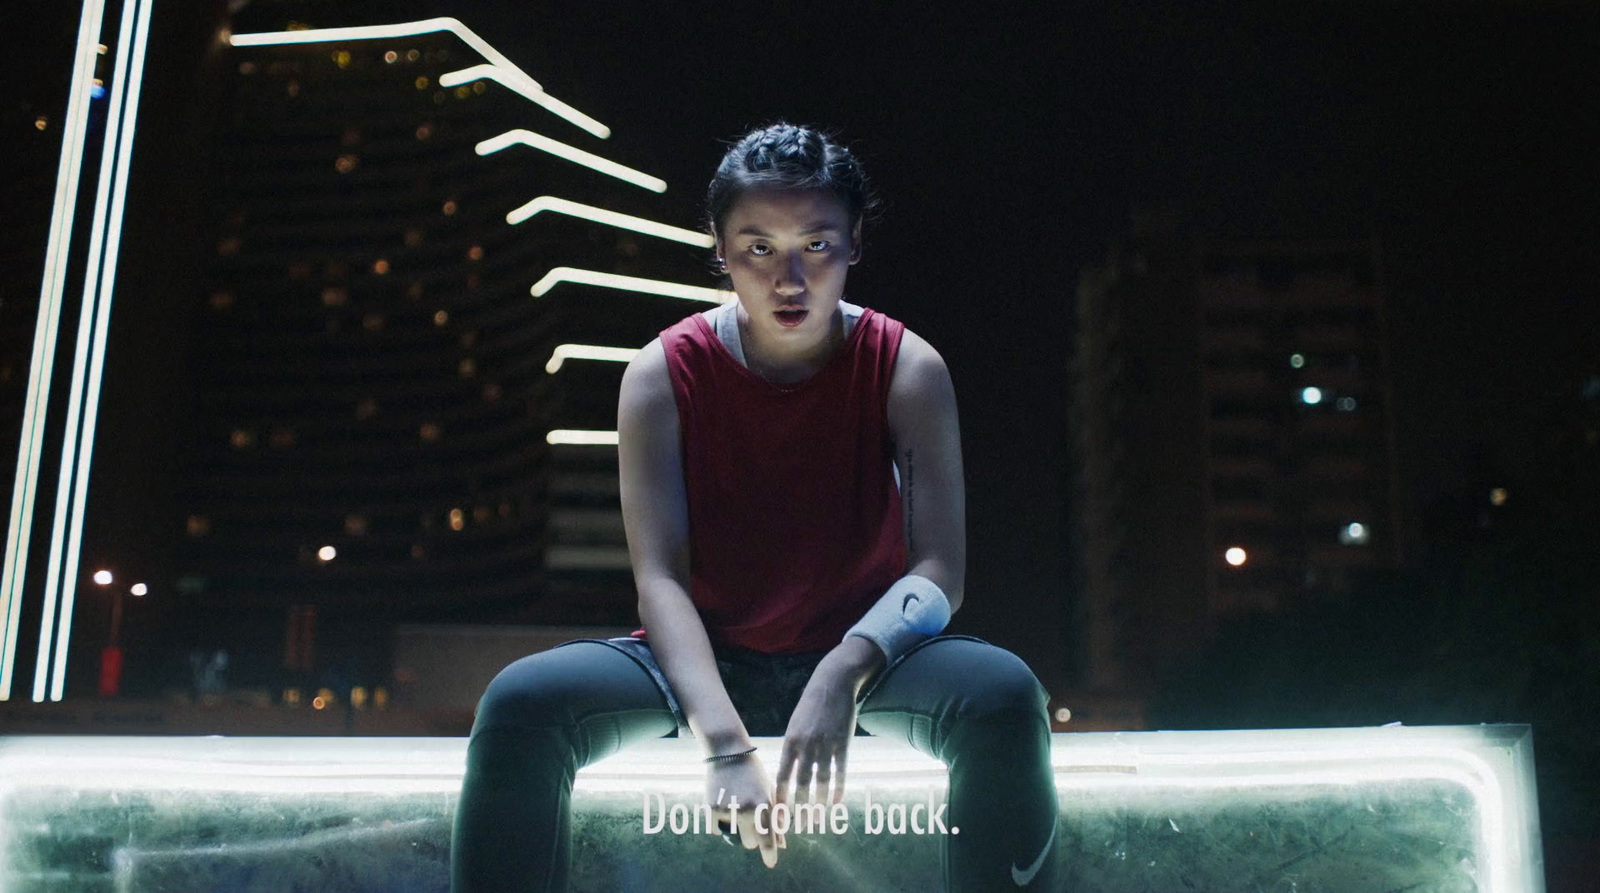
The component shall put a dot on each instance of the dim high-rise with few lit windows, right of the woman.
(1236, 436)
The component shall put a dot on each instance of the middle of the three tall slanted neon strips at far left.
(81, 359)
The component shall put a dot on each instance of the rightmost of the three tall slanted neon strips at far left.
(127, 103)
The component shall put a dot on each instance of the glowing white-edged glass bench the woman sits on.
(1364, 809)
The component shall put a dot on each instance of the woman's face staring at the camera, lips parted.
(788, 254)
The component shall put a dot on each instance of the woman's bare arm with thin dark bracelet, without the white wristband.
(655, 515)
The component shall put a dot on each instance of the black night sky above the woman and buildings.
(1012, 145)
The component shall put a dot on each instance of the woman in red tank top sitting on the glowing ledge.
(791, 483)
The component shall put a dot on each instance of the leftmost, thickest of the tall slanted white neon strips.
(33, 442)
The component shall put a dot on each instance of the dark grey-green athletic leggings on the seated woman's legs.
(967, 703)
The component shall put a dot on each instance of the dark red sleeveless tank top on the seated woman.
(794, 513)
